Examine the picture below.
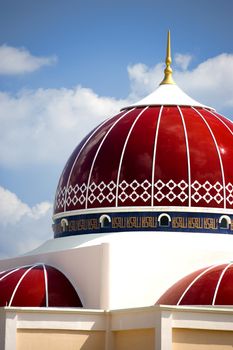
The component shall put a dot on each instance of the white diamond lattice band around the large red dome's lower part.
(134, 190)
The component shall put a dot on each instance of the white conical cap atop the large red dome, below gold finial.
(168, 95)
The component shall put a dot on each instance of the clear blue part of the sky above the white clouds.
(93, 39)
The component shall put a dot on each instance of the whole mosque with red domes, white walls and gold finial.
(143, 237)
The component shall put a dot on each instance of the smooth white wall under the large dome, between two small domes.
(133, 269)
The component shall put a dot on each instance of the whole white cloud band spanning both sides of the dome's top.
(43, 126)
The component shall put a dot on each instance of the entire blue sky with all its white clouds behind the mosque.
(67, 65)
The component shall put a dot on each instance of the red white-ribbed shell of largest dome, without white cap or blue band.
(151, 157)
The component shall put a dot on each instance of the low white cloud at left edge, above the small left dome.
(22, 228)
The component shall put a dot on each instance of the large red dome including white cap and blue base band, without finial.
(165, 154)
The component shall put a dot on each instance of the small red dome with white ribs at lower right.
(208, 286)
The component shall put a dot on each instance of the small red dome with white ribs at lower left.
(37, 286)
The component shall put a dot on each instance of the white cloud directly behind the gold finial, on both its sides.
(210, 82)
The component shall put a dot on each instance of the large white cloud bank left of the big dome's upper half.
(44, 126)
